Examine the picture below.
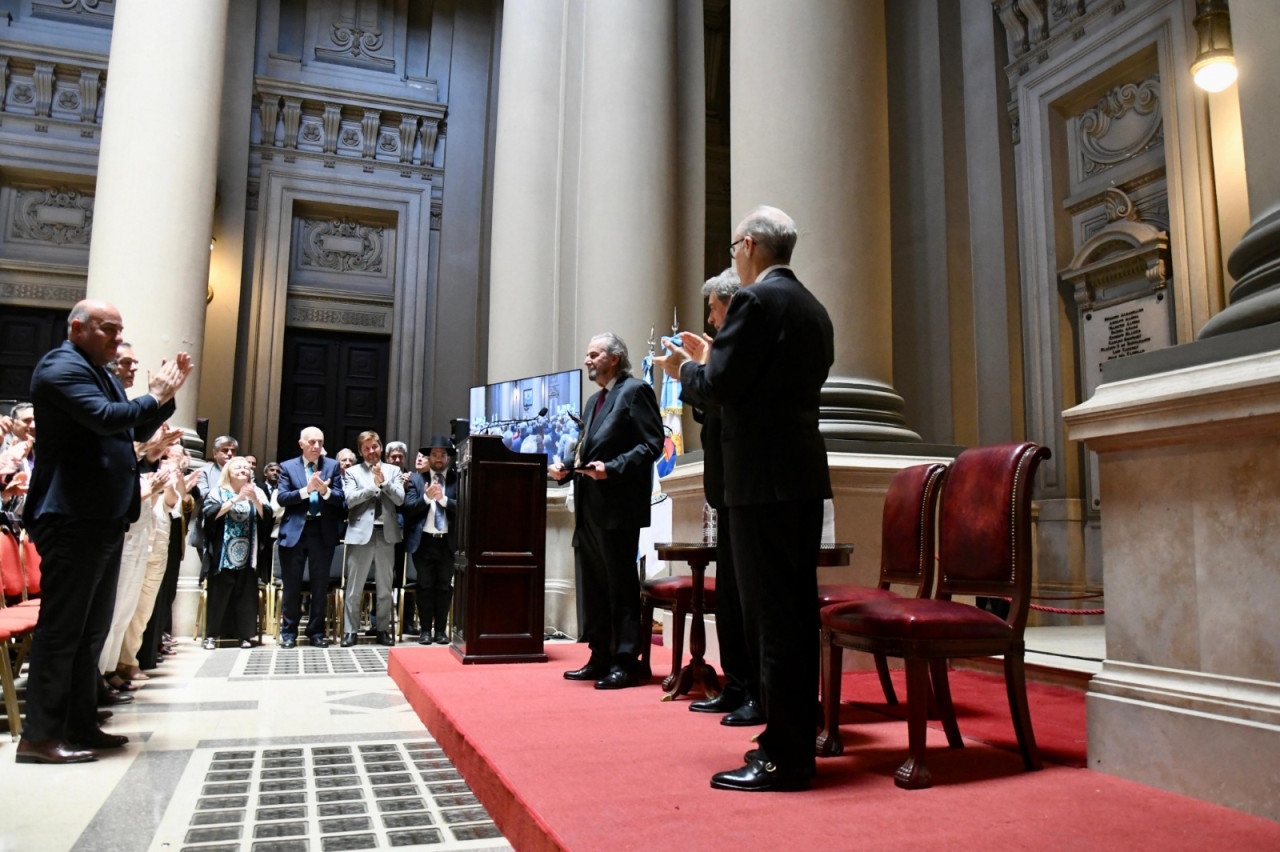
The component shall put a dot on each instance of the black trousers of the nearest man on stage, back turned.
(776, 558)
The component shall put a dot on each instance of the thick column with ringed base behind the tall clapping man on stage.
(810, 109)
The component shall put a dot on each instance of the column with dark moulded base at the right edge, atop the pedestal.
(1255, 263)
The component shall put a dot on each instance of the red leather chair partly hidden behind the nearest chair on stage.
(907, 556)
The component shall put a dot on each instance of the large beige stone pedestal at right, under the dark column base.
(1188, 698)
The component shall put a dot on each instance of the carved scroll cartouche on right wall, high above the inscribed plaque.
(1124, 123)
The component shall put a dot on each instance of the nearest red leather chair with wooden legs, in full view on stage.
(984, 549)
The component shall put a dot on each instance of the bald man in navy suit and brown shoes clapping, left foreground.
(84, 496)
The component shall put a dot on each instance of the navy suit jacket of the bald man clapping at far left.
(86, 466)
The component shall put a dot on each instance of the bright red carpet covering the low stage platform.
(561, 766)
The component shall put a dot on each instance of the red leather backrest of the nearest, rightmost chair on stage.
(985, 530)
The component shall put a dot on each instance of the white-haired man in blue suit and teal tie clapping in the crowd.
(314, 512)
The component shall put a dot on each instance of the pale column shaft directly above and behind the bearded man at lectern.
(628, 173)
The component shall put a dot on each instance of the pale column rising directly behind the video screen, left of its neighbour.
(524, 269)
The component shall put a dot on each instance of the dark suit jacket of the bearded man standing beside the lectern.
(628, 438)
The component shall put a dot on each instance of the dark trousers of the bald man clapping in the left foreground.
(80, 565)
